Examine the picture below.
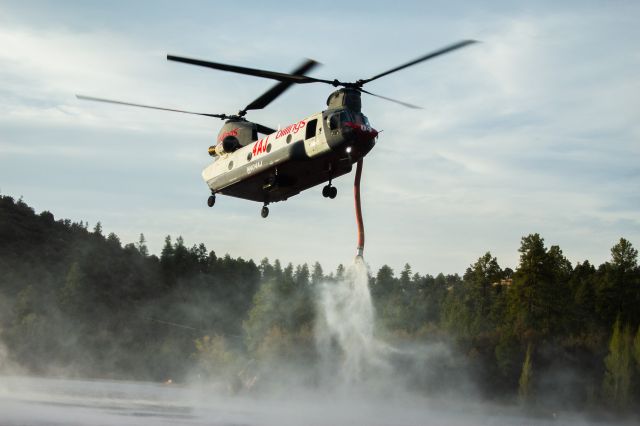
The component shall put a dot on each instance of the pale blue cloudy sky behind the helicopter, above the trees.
(535, 129)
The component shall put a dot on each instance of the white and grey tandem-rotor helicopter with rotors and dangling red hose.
(305, 153)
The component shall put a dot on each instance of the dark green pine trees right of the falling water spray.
(546, 332)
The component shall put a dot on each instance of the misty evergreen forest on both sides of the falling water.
(75, 302)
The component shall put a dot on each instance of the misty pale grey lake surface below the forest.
(39, 401)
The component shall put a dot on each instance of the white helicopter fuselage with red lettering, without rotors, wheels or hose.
(303, 154)
